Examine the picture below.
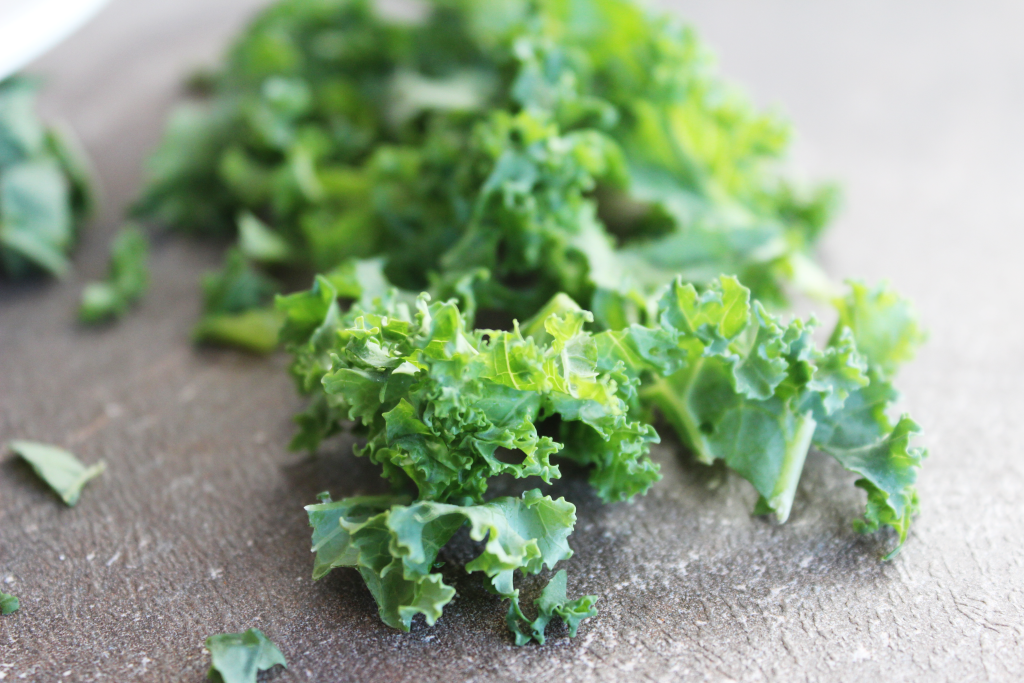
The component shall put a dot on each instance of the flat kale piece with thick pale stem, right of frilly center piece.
(758, 395)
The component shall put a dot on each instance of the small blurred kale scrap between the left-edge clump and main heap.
(126, 282)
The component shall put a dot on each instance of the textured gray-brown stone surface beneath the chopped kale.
(197, 528)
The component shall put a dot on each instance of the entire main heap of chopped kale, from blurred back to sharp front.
(576, 175)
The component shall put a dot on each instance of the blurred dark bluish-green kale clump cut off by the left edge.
(46, 194)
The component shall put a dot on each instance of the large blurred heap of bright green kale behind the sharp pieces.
(584, 148)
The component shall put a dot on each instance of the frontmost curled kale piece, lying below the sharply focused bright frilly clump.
(395, 546)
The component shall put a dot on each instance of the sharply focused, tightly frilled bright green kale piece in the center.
(440, 402)
